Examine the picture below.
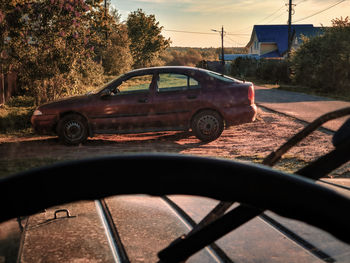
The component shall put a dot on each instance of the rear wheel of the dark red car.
(207, 125)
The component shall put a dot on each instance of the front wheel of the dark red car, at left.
(72, 129)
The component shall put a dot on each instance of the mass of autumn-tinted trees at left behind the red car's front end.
(62, 47)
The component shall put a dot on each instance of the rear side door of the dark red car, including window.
(176, 96)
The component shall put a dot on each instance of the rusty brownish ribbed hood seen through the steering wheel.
(146, 225)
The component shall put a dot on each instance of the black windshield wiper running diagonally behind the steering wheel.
(215, 224)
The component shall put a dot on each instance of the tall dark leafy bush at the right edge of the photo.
(323, 62)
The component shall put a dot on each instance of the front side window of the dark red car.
(135, 84)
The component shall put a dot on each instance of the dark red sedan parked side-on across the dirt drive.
(152, 99)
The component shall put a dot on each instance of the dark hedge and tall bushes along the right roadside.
(321, 63)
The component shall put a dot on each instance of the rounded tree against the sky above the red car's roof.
(146, 40)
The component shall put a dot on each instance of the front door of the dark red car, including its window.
(127, 108)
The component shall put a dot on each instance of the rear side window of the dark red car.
(175, 82)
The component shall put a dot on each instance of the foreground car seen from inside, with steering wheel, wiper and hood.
(167, 223)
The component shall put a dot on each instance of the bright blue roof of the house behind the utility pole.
(279, 34)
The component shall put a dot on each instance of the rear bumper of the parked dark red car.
(239, 115)
